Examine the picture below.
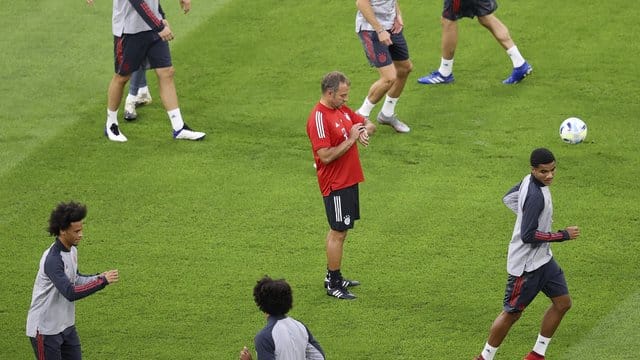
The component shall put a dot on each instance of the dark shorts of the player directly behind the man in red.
(379, 54)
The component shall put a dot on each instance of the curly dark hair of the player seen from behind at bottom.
(273, 297)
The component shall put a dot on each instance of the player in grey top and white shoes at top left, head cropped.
(141, 35)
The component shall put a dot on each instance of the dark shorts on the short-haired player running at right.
(521, 290)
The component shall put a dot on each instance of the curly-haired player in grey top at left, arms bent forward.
(51, 319)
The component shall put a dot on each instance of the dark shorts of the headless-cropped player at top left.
(146, 49)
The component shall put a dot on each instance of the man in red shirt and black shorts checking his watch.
(333, 129)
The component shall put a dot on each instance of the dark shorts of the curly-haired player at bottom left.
(65, 345)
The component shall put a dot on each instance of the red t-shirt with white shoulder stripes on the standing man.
(327, 128)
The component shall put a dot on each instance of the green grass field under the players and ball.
(192, 226)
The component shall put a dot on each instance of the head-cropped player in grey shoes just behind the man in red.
(379, 26)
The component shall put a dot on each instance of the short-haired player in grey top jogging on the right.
(530, 263)
